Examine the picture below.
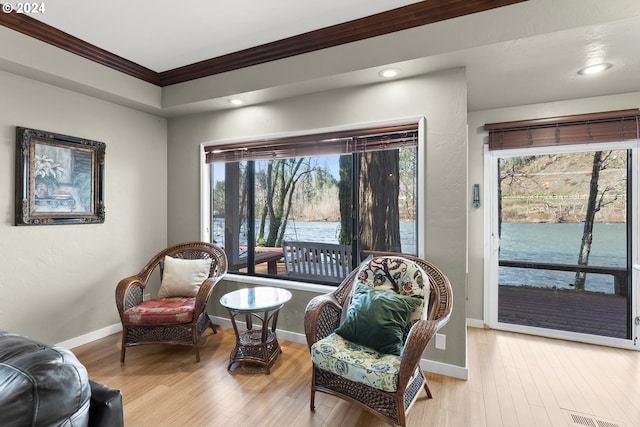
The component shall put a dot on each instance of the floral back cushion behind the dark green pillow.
(398, 275)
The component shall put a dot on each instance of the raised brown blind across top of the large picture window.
(324, 144)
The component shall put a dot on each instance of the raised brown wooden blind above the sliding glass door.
(607, 126)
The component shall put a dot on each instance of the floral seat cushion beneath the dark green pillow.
(356, 362)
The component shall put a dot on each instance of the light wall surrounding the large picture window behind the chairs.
(440, 97)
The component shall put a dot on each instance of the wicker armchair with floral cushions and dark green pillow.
(367, 337)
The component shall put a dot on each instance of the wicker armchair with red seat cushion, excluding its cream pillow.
(177, 320)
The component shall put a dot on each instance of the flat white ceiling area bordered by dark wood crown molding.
(166, 34)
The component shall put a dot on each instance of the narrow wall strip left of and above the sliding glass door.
(478, 137)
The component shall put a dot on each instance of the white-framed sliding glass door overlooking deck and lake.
(561, 241)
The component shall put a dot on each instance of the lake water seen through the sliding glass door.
(560, 244)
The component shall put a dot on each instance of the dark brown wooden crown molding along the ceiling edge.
(410, 16)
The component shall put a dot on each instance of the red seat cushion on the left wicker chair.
(161, 310)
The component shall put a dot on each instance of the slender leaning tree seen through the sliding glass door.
(595, 203)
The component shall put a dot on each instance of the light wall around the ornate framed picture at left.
(58, 282)
